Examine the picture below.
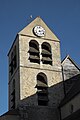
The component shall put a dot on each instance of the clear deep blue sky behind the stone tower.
(62, 16)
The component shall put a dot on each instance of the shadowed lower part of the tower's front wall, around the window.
(41, 112)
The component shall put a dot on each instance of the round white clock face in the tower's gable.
(39, 31)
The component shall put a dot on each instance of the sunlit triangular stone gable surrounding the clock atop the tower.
(28, 30)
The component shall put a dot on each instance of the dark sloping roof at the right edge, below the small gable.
(74, 90)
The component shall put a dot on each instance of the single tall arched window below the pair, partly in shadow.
(42, 89)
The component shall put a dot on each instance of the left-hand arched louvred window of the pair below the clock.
(34, 51)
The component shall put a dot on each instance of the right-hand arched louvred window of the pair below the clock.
(46, 53)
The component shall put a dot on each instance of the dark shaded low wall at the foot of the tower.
(39, 113)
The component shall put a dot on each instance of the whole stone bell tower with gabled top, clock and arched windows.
(35, 77)
